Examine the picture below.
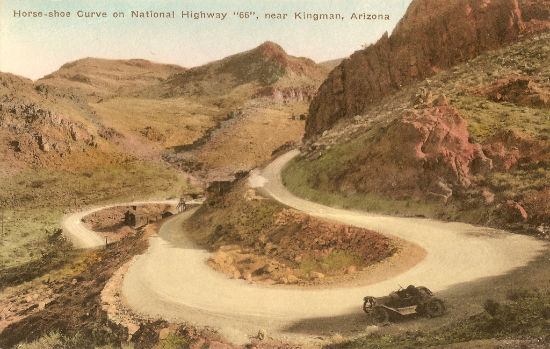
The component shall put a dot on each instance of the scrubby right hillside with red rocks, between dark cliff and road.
(470, 143)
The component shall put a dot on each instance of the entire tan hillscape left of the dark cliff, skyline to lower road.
(88, 134)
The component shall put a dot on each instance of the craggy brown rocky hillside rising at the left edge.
(44, 126)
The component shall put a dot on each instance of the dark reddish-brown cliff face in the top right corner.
(432, 36)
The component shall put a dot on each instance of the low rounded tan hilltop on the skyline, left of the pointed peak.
(108, 77)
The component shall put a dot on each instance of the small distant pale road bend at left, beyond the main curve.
(82, 237)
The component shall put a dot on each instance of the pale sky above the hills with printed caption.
(36, 46)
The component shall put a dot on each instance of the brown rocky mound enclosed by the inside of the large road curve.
(269, 242)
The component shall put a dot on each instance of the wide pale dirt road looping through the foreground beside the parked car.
(172, 280)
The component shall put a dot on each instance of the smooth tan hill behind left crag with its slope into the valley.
(143, 127)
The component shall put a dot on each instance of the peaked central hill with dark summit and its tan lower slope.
(268, 92)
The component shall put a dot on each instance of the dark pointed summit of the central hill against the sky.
(266, 70)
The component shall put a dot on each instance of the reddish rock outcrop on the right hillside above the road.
(424, 153)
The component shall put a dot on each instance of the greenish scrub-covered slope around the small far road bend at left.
(34, 201)
